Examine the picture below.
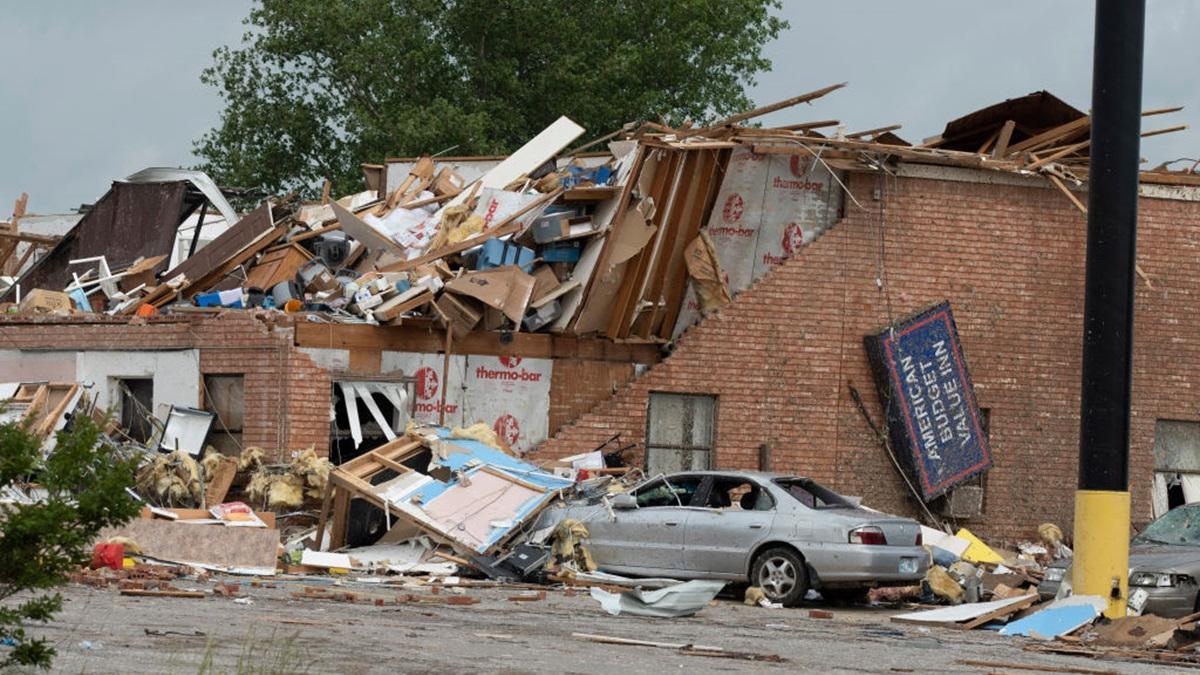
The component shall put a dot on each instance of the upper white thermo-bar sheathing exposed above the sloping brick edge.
(769, 208)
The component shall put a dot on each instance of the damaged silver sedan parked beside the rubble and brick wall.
(783, 534)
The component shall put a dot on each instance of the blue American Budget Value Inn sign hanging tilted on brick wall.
(933, 416)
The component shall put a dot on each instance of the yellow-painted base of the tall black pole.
(1102, 548)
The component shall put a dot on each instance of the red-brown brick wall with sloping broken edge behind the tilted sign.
(1011, 261)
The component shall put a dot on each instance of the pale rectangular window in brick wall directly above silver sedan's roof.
(680, 433)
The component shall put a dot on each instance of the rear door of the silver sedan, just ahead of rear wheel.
(731, 518)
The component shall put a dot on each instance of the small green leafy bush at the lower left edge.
(41, 542)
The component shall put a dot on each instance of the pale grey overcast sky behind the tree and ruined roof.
(94, 92)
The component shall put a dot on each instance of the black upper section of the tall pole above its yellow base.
(1112, 246)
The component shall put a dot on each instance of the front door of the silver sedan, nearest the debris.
(647, 540)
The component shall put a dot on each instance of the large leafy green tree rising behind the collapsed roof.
(320, 87)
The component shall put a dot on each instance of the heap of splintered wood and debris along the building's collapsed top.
(544, 241)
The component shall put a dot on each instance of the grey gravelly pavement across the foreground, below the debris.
(104, 632)
